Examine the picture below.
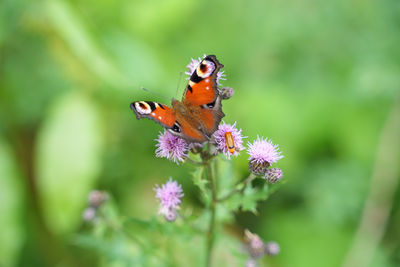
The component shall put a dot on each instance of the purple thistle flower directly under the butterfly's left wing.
(171, 147)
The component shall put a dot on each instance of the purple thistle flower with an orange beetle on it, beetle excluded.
(220, 137)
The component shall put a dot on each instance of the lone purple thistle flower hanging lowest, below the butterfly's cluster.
(170, 195)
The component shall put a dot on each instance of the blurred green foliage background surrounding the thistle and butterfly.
(320, 78)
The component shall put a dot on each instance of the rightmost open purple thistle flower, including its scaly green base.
(262, 154)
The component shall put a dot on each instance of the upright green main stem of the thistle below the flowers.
(211, 227)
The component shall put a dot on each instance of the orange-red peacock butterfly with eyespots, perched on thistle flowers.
(197, 116)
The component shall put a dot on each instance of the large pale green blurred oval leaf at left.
(68, 158)
